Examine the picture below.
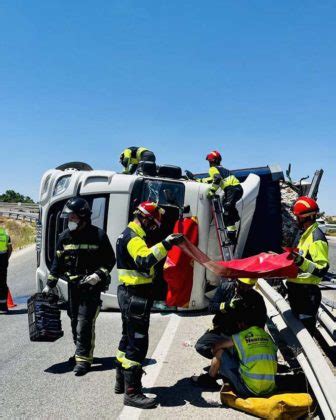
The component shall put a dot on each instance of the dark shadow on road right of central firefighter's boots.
(181, 393)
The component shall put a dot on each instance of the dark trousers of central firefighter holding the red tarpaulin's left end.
(135, 308)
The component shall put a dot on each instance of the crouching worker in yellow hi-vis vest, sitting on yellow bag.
(248, 359)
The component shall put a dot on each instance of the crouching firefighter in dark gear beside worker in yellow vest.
(229, 295)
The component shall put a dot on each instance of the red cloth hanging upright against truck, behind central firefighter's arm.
(179, 267)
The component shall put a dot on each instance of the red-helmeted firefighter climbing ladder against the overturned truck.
(220, 177)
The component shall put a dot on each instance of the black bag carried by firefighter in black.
(44, 318)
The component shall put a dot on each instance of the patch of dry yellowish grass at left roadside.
(22, 233)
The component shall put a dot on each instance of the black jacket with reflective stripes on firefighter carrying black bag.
(81, 253)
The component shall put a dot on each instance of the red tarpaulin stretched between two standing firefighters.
(262, 265)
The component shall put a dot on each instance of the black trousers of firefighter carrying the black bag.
(83, 308)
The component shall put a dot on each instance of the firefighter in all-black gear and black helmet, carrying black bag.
(84, 258)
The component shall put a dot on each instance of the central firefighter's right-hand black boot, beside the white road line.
(133, 389)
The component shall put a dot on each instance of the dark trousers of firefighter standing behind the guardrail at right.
(304, 300)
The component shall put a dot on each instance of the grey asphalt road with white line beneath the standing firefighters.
(35, 381)
